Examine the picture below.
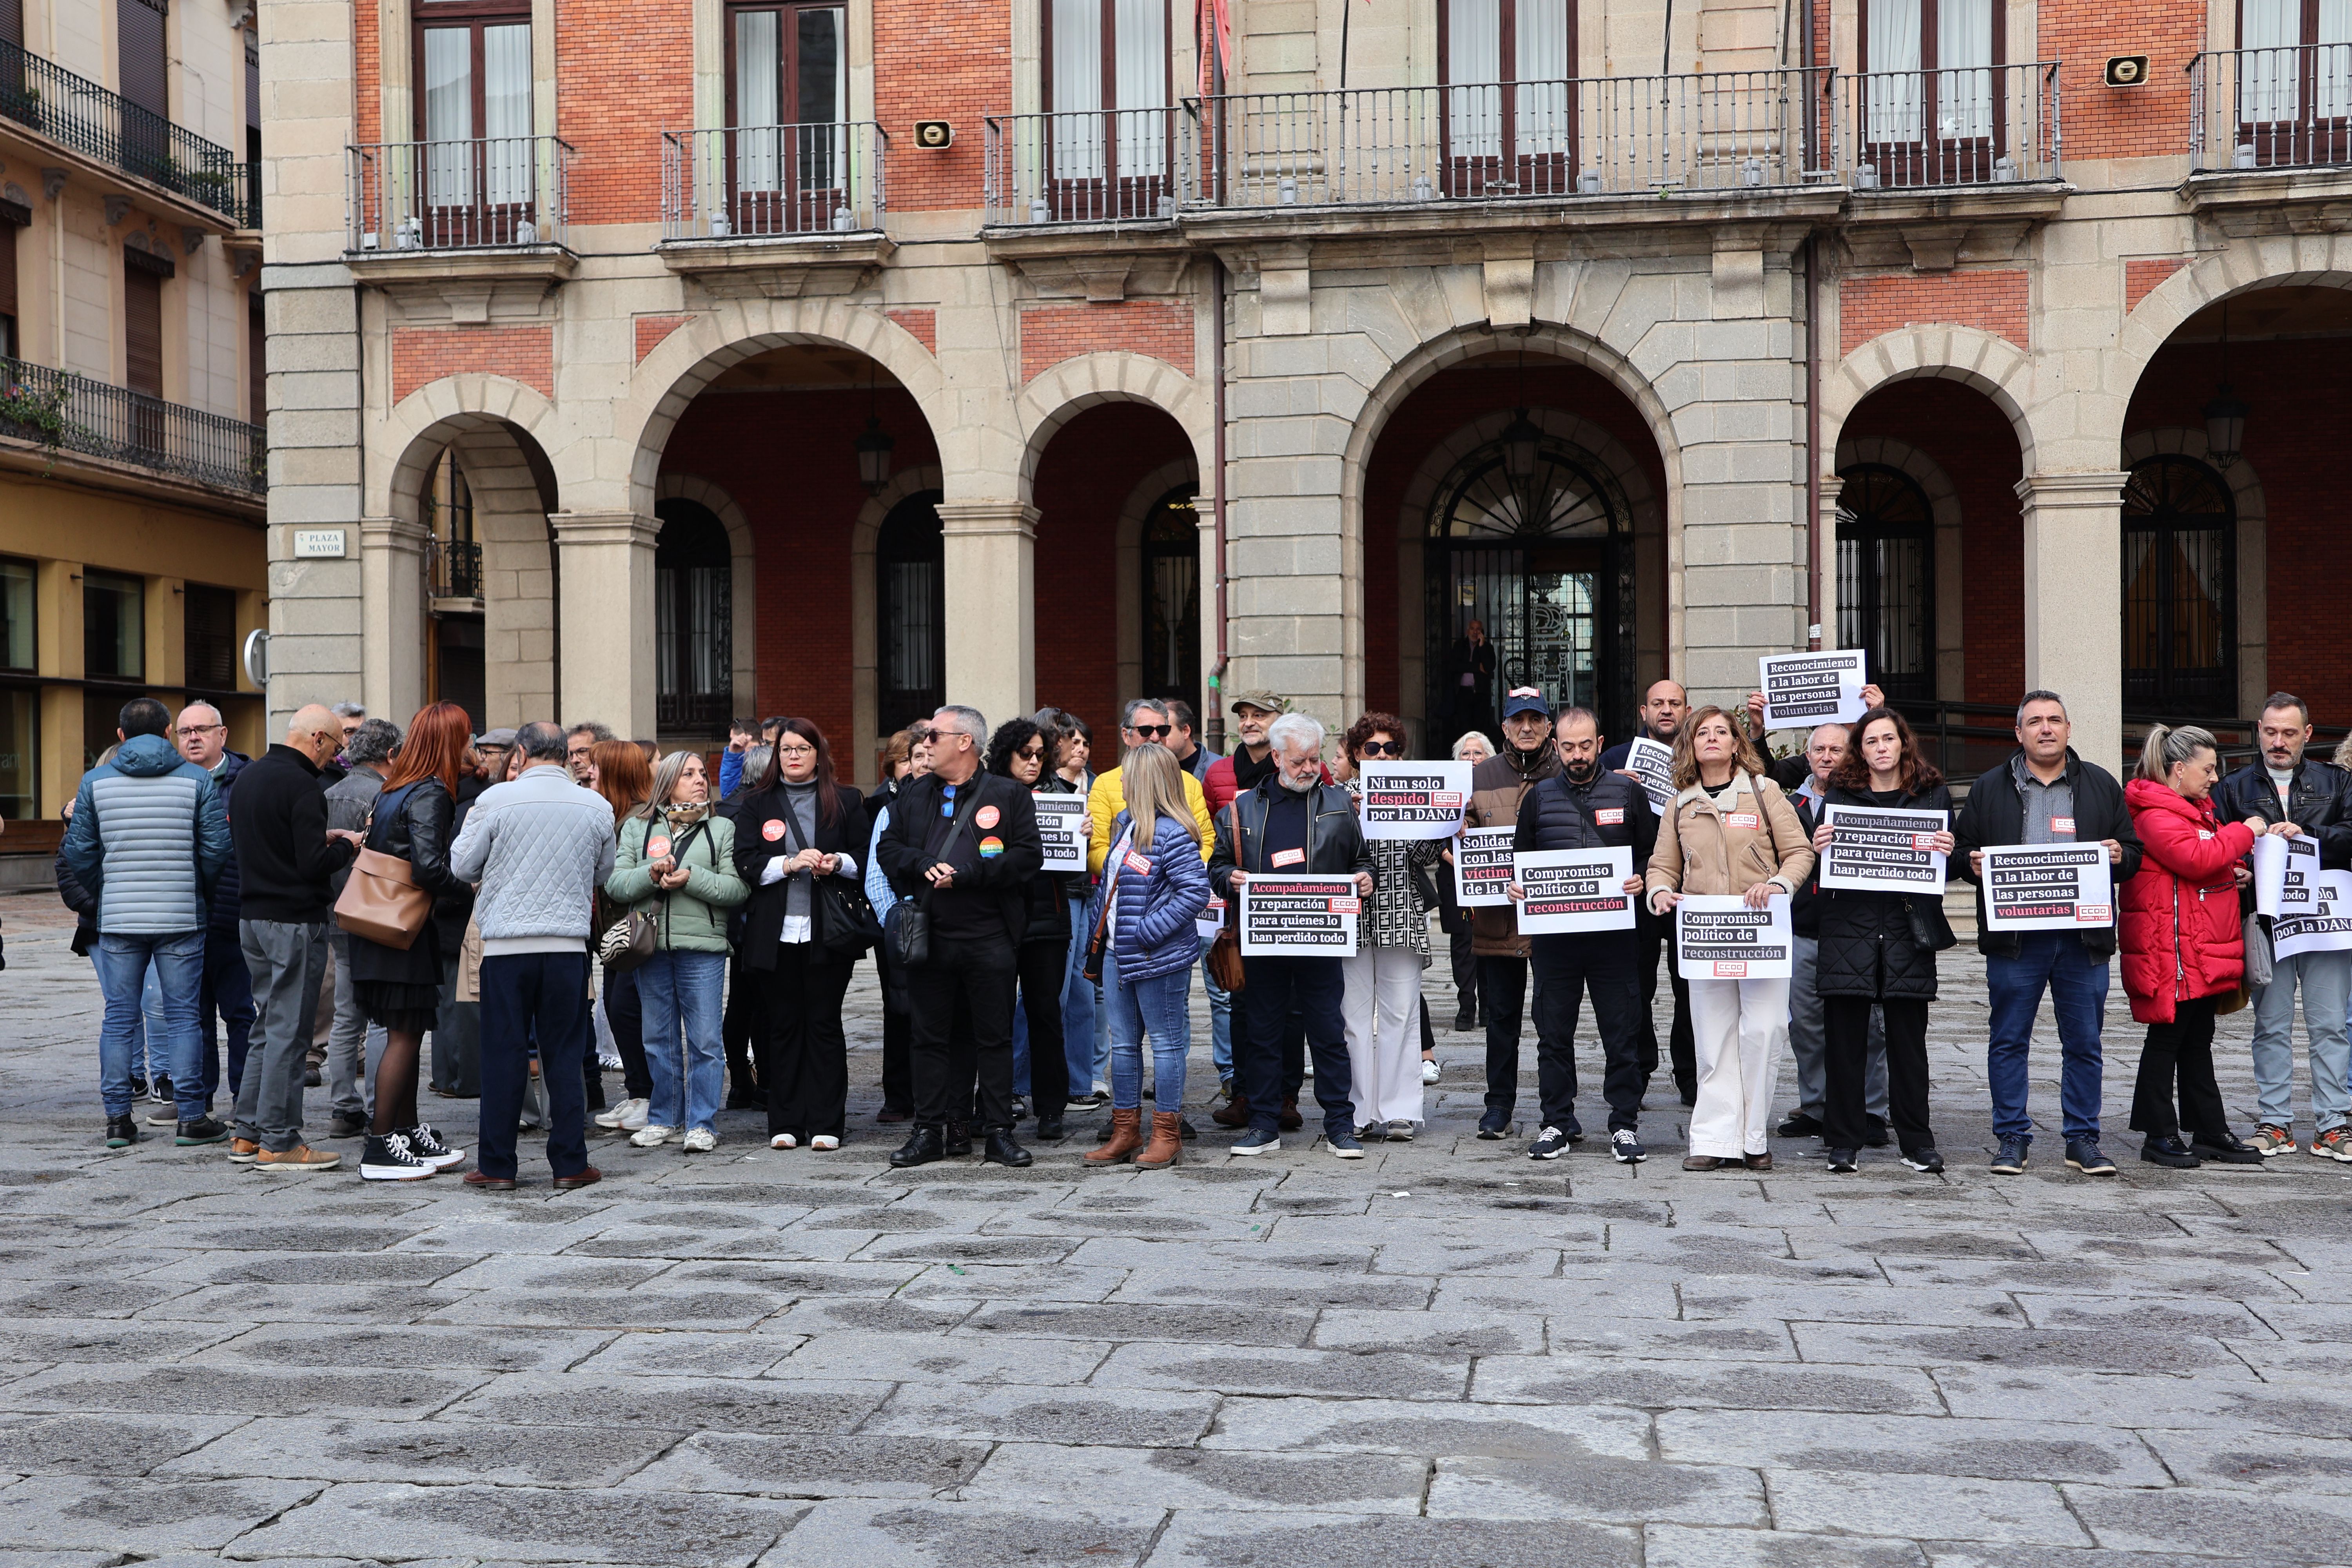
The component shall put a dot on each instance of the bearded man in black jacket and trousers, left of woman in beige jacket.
(1589, 808)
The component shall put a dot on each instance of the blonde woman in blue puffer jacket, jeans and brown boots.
(1156, 887)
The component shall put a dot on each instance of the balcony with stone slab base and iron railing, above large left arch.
(775, 210)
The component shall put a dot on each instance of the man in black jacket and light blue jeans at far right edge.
(2290, 789)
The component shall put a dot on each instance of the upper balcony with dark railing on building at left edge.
(109, 130)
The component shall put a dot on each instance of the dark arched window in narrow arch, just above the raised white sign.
(1887, 577)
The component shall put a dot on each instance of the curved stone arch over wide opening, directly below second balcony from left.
(982, 457)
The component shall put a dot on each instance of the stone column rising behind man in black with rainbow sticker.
(991, 561)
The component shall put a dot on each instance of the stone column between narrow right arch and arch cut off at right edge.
(2076, 603)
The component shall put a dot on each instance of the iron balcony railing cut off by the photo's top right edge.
(2271, 109)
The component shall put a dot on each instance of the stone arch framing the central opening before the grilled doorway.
(1459, 347)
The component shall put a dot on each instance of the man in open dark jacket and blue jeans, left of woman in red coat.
(2045, 796)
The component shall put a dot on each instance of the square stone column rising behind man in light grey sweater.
(606, 619)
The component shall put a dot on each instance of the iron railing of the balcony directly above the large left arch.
(759, 182)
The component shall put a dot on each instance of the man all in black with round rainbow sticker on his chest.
(965, 843)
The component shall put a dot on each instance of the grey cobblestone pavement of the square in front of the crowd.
(1441, 1355)
